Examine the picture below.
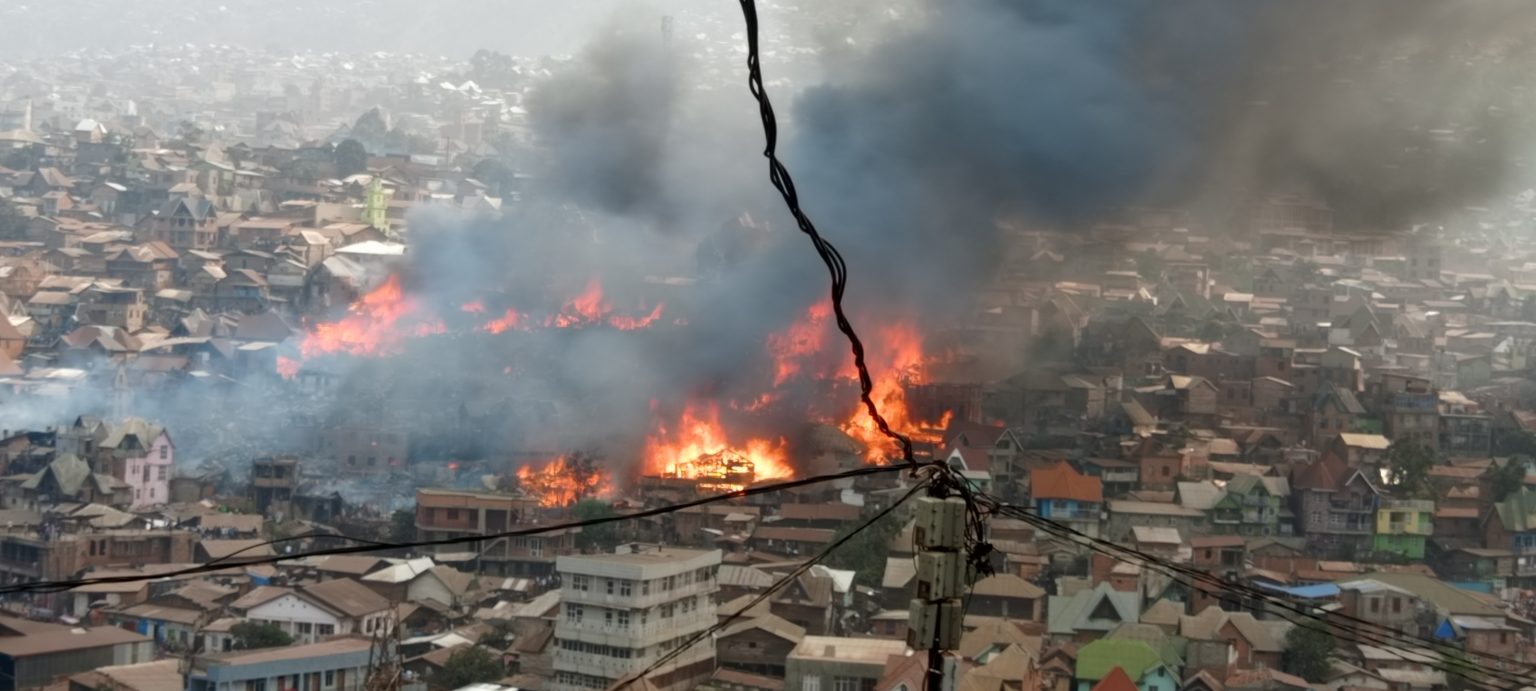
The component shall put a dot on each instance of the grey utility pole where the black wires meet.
(938, 613)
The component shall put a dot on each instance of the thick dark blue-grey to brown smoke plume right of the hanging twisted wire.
(1062, 113)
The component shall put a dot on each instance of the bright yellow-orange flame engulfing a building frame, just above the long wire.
(698, 448)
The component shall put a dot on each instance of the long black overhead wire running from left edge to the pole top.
(360, 547)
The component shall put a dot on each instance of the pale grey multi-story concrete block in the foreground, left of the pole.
(624, 612)
